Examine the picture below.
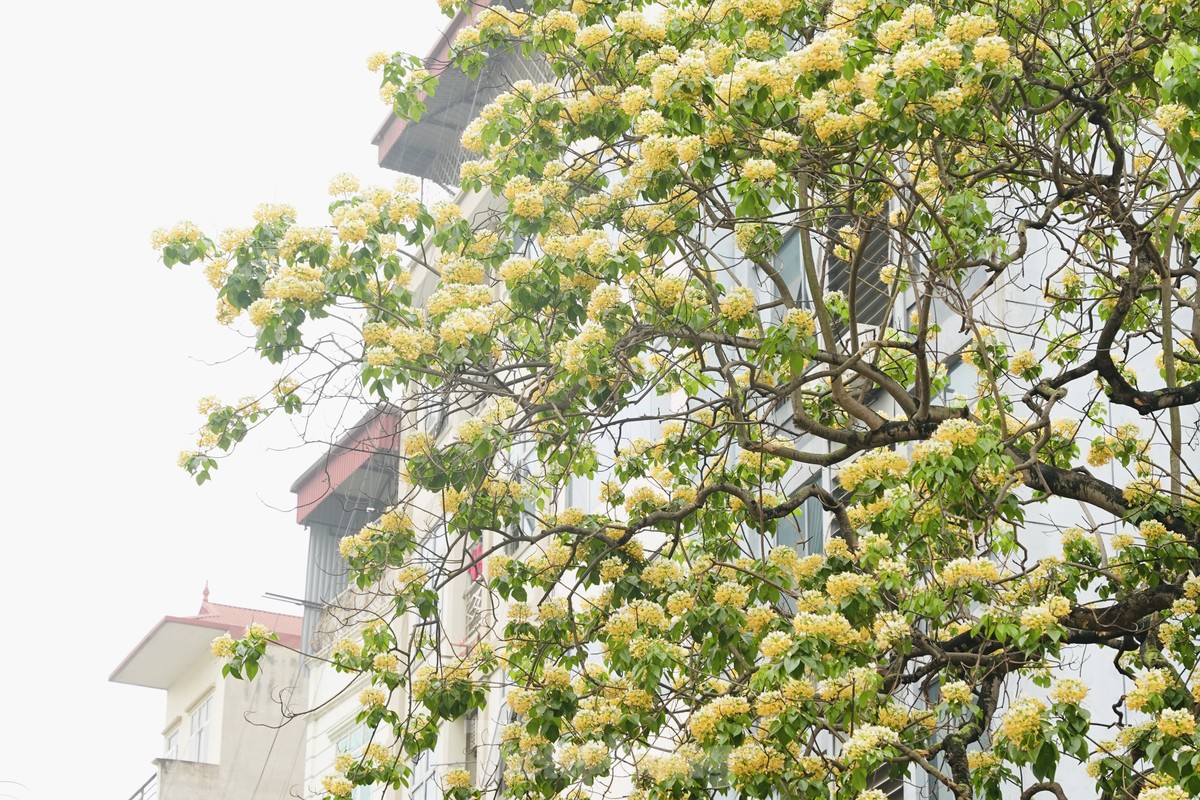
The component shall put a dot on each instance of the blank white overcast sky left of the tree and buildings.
(121, 118)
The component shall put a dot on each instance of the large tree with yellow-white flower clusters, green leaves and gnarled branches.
(623, 315)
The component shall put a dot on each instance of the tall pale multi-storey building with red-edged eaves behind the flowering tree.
(359, 479)
